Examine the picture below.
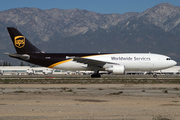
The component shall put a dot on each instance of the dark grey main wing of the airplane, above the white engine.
(91, 62)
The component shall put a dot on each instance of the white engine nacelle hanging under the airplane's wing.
(116, 69)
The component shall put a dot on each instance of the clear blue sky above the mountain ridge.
(99, 6)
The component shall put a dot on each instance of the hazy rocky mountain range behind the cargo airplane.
(155, 30)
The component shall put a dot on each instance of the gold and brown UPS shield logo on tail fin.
(19, 41)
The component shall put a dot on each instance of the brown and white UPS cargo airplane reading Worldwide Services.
(116, 63)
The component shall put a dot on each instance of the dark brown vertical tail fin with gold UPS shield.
(21, 44)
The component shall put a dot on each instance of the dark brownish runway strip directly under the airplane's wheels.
(86, 79)
